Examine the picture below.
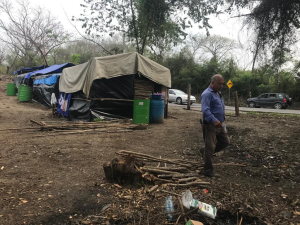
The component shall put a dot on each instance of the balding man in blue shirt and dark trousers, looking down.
(214, 133)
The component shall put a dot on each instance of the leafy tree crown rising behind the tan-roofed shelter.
(146, 22)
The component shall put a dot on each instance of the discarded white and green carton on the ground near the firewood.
(204, 209)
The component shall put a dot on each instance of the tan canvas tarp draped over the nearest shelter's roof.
(81, 77)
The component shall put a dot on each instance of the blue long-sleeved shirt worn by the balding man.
(212, 106)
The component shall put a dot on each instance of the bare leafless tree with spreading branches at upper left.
(30, 31)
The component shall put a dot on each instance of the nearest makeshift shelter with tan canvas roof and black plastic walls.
(108, 85)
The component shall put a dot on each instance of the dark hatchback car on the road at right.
(276, 100)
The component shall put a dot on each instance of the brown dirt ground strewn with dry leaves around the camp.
(60, 180)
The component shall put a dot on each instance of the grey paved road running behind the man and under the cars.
(245, 109)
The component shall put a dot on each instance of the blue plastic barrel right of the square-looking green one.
(157, 110)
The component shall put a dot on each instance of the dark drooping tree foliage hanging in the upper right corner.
(275, 23)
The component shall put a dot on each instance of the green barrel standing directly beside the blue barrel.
(141, 109)
